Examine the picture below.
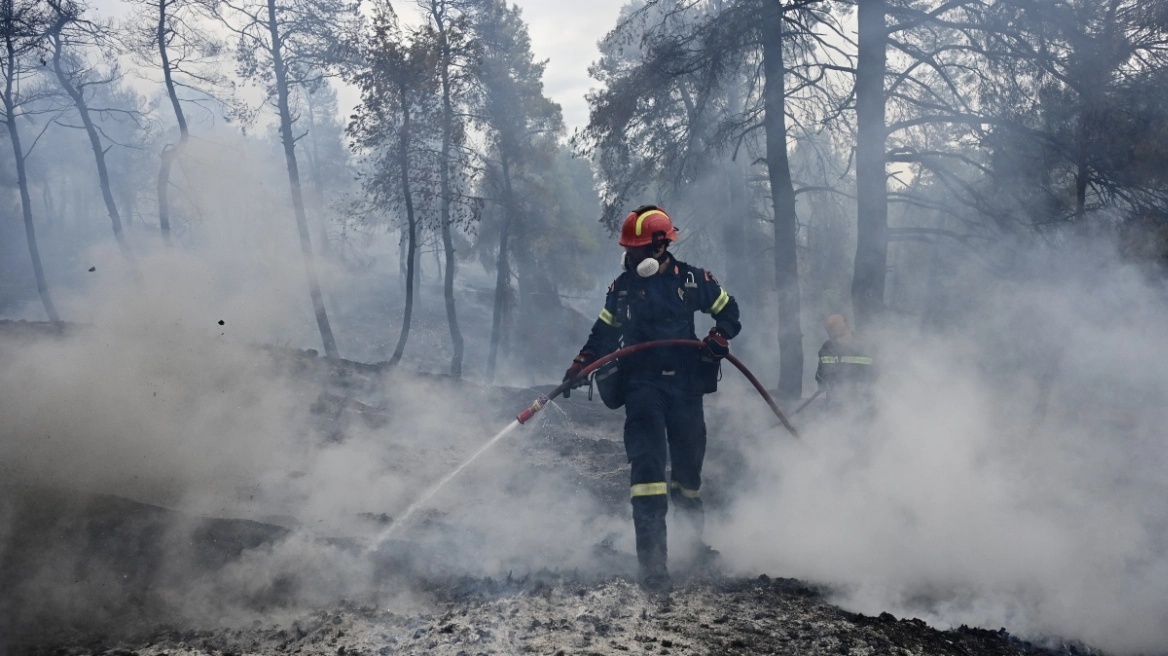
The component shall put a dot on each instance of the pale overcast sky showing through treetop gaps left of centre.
(562, 32)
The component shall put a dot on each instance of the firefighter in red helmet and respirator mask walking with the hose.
(656, 298)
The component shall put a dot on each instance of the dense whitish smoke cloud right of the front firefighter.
(1011, 476)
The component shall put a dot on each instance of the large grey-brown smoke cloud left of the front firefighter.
(159, 465)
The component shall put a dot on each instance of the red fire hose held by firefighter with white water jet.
(546, 400)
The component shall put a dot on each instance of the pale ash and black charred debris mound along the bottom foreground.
(557, 615)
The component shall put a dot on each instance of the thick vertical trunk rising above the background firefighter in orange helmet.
(872, 176)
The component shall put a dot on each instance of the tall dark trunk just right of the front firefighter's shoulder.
(783, 197)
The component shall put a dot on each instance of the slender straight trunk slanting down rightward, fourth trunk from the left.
(302, 220)
